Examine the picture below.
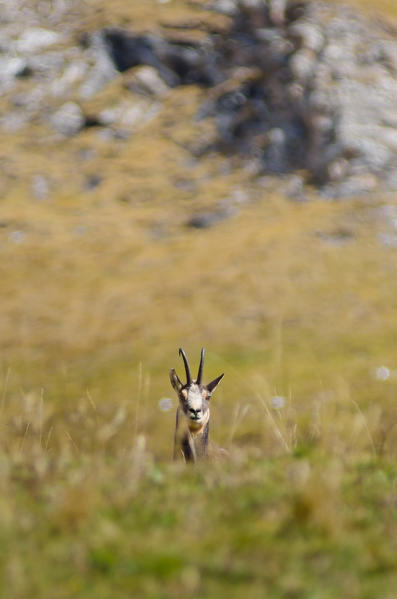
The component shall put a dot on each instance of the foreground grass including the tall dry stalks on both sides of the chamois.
(304, 506)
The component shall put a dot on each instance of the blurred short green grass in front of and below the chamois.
(305, 525)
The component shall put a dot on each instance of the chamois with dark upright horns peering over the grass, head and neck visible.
(193, 412)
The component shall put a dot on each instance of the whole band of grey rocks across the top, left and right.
(304, 87)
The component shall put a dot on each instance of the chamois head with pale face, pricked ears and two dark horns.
(194, 396)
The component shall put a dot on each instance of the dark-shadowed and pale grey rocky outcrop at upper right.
(295, 86)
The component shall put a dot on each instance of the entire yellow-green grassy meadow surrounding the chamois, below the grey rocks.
(99, 288)
